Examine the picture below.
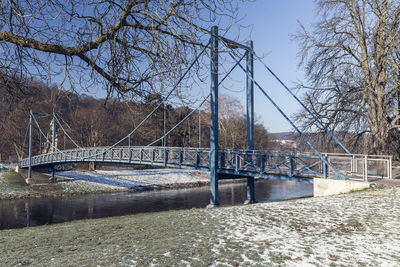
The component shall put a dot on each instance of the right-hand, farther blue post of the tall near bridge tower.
(250, 116)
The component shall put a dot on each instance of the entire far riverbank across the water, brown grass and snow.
(12, 185)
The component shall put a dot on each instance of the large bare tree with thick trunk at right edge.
(351, 62)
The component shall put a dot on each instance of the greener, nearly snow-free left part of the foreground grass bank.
(167, 238)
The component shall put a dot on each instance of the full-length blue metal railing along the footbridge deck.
(235, 162)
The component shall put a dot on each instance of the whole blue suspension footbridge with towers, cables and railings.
(220, 163)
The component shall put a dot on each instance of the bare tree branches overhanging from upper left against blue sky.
(125, 47)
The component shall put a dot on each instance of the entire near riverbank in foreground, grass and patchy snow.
(357, 229)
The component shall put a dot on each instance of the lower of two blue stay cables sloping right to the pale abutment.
(290, 121)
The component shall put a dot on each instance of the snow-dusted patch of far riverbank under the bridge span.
(119, 180)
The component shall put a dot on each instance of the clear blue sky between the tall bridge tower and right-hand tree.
(273, 22)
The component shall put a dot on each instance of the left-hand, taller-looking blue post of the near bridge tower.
(214, 119)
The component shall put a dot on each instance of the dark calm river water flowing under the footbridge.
(31, 212)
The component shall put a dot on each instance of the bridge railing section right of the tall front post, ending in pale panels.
(353, 166)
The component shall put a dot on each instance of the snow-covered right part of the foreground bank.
(358, 229)
